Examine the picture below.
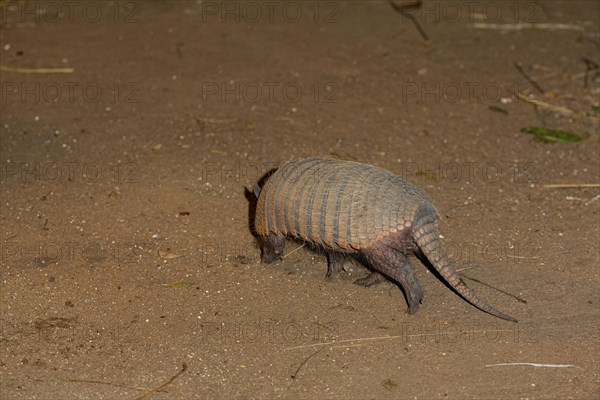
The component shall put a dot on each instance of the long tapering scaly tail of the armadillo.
(427, 237)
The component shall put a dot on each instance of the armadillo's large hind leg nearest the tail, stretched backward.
(395, 265)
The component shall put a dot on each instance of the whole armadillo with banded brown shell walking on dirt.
(352, 209)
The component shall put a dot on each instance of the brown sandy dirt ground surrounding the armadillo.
(127, 255)
